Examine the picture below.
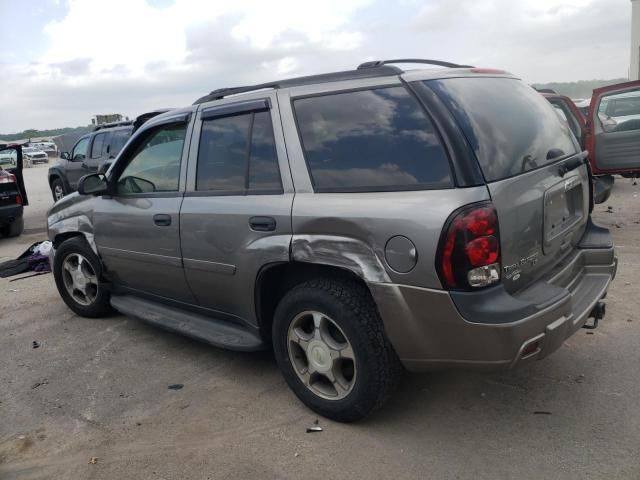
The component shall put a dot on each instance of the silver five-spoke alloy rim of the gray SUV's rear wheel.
(321, 355)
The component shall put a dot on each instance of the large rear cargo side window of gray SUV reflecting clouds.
(370, 140)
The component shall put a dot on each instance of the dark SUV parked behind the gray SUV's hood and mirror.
(93, 152)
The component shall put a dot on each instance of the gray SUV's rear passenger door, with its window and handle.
(236, 214)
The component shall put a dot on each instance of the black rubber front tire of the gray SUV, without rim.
(100, 306)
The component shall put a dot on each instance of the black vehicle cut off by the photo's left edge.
(13, 196)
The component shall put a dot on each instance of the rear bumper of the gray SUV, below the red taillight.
(490, 328)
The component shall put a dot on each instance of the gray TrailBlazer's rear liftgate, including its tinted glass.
(533, 166)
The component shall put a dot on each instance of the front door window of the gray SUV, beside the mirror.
(155, 164)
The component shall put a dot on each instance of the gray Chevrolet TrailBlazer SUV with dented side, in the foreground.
(356, 222)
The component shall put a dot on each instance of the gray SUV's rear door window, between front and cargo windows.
(237, 155)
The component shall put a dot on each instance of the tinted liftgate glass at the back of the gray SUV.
(510, 126)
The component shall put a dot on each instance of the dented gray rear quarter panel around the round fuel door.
(353, 231)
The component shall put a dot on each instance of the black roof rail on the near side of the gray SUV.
(380, 71)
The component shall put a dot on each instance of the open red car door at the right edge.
(613, 129)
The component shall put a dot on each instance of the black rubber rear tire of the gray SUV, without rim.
(351, 307)
